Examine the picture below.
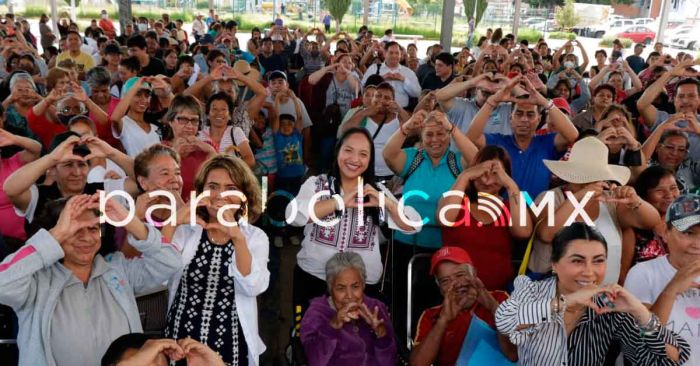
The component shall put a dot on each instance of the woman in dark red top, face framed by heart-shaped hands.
(487, 237)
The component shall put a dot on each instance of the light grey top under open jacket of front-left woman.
(86, 320)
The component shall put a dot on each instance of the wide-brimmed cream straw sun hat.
(587, 164)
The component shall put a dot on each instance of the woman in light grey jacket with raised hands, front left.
(72, 302)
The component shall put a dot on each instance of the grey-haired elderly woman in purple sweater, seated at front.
(346, 327)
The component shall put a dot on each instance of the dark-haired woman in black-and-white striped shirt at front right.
(572, 318)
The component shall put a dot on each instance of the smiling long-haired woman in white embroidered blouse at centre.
(327, 205)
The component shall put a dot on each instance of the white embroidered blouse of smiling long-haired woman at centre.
(321, 243)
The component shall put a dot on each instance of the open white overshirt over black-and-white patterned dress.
(186, 240)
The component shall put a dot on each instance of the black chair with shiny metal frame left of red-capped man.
(423, 293)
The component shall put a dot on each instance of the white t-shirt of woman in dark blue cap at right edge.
(647, 280)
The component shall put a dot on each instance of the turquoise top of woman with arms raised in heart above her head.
(423, 191)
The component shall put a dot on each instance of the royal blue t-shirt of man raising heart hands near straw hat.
(528, 169)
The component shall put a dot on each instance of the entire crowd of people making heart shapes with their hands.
(555, 196)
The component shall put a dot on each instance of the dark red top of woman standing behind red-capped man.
(489, 247)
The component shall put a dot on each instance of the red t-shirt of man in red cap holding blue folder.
(456, 331)
